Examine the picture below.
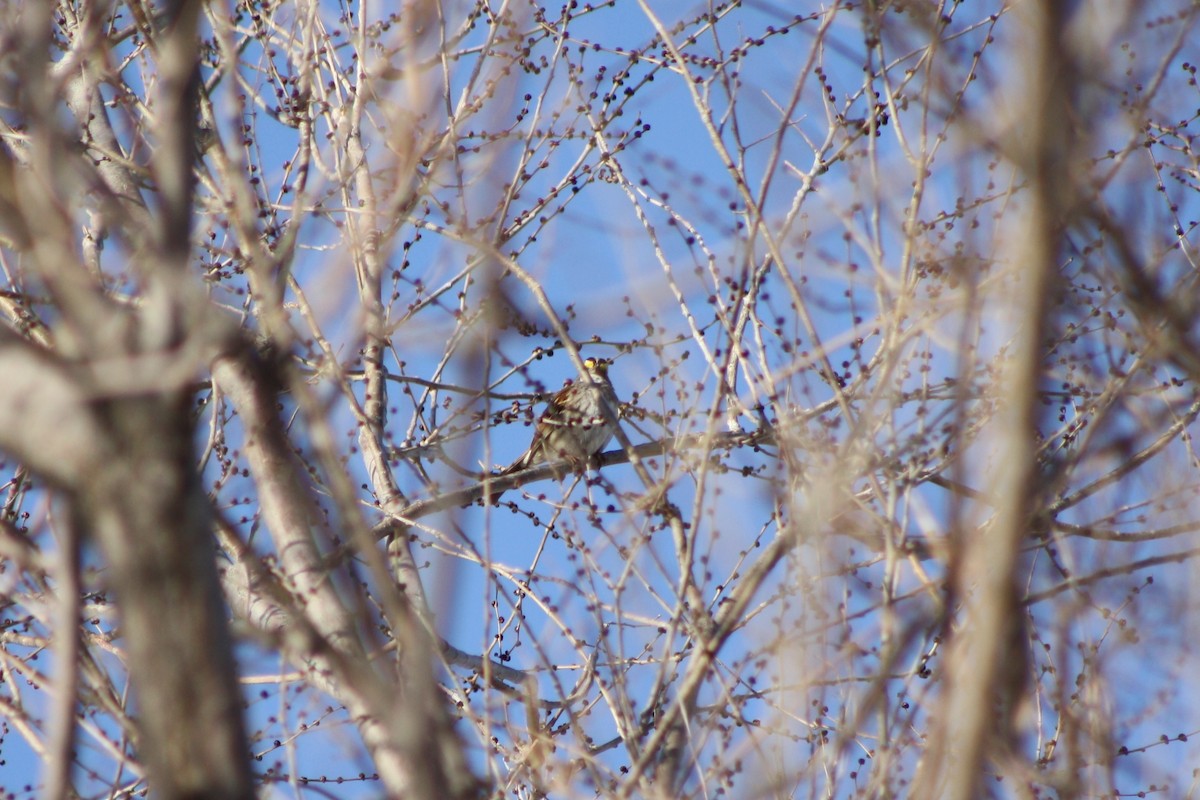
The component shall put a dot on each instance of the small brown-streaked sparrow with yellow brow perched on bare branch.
(574, 426)
